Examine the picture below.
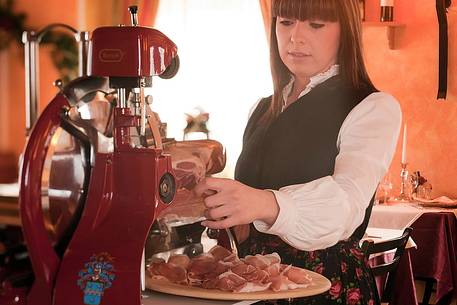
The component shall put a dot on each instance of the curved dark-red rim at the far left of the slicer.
(45, 261)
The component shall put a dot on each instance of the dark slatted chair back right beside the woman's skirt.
(390, 268)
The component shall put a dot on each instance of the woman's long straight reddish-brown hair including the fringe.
(350, 55)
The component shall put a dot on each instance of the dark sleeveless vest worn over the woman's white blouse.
(299, 146)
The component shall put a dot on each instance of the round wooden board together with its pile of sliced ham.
(220, 274)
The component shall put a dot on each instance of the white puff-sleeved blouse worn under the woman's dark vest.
(318, 214)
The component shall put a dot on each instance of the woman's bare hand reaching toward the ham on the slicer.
(230, 203)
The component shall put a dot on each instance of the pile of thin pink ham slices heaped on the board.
(223, 270)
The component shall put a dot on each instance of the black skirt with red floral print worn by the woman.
(343, 264)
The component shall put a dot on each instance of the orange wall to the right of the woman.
(410, 73)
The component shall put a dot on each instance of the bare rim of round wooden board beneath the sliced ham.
(320, 285)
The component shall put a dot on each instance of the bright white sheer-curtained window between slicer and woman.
(224, 67)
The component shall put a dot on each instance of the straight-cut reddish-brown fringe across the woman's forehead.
(325, 10)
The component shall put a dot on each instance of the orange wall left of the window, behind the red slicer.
(12, 78)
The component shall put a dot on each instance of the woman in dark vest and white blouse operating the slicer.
(313, 152)
